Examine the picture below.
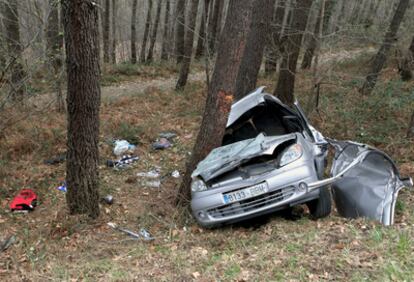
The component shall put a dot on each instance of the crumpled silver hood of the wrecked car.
(226, 158)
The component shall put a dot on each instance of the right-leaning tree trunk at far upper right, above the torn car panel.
(381, 57)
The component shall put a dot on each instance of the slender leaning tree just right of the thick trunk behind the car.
(315, 40)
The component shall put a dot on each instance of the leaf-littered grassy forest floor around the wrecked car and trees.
(51, 245)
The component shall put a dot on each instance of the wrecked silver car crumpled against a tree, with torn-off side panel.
(271, 159)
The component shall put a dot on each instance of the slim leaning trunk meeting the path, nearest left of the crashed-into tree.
(188, 48)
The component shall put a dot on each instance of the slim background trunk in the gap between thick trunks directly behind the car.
(273, 43)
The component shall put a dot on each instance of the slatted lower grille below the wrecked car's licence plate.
(252, 203)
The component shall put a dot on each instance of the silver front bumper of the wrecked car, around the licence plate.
(209, 208)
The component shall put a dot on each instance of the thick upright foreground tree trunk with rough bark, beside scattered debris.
(83, 100)
